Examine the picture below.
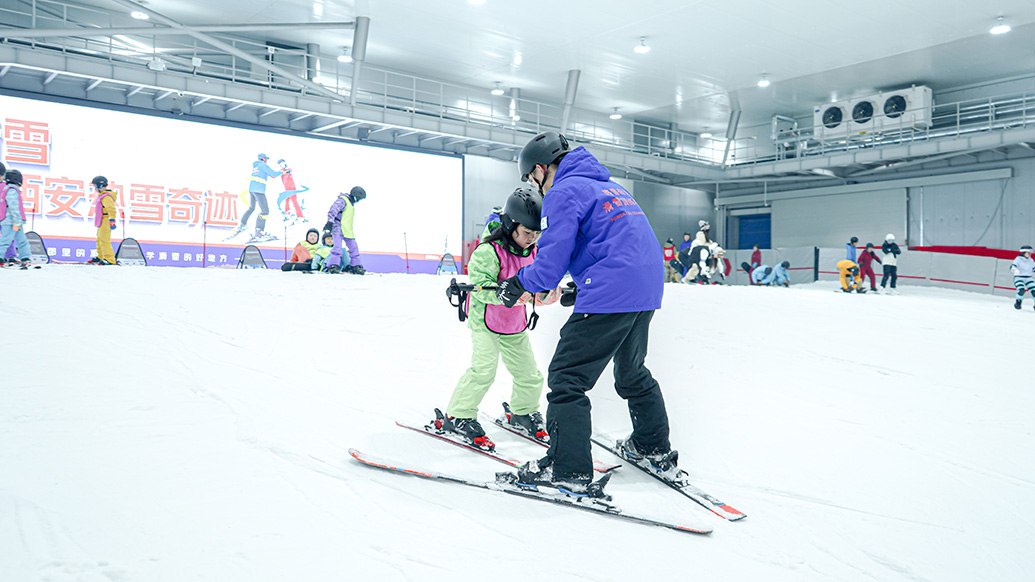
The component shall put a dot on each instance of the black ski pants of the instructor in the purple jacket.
(588, 343)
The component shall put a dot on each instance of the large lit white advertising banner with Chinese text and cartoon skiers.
(196, 194)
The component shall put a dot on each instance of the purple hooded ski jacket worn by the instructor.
(594, 228)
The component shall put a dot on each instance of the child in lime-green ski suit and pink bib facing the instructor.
(498, 332)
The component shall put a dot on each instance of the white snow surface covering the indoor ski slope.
(171, 425)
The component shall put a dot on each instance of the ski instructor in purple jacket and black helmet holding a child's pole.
(594, 228)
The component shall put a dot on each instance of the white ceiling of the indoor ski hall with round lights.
(705, 55)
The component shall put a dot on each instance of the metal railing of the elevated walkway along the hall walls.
(398, 92)
